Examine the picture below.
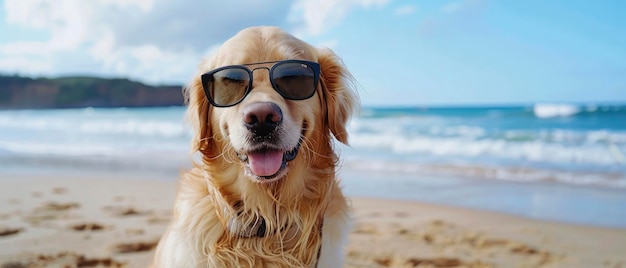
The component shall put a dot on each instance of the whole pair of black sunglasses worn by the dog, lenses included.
(292, 79)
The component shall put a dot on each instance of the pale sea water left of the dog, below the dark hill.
(94, 140)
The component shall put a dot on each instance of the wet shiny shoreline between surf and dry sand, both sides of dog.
(592, 205)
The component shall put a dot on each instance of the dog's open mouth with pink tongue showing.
(267, 163)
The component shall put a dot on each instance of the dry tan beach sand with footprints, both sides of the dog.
(51, 221)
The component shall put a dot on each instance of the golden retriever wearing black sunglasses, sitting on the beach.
(265, 109)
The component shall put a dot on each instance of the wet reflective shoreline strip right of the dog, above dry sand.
(557, 202)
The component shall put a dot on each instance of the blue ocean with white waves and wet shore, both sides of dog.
(563, 162)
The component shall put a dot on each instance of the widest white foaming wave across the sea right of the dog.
(464, 148)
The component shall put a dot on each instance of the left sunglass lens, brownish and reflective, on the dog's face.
(229, 86)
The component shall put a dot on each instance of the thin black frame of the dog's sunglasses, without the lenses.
(206, 77)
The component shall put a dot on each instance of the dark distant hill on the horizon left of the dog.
(75, 92)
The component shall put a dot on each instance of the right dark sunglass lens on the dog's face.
(294, 80)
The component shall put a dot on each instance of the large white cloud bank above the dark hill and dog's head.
(157, 41)
